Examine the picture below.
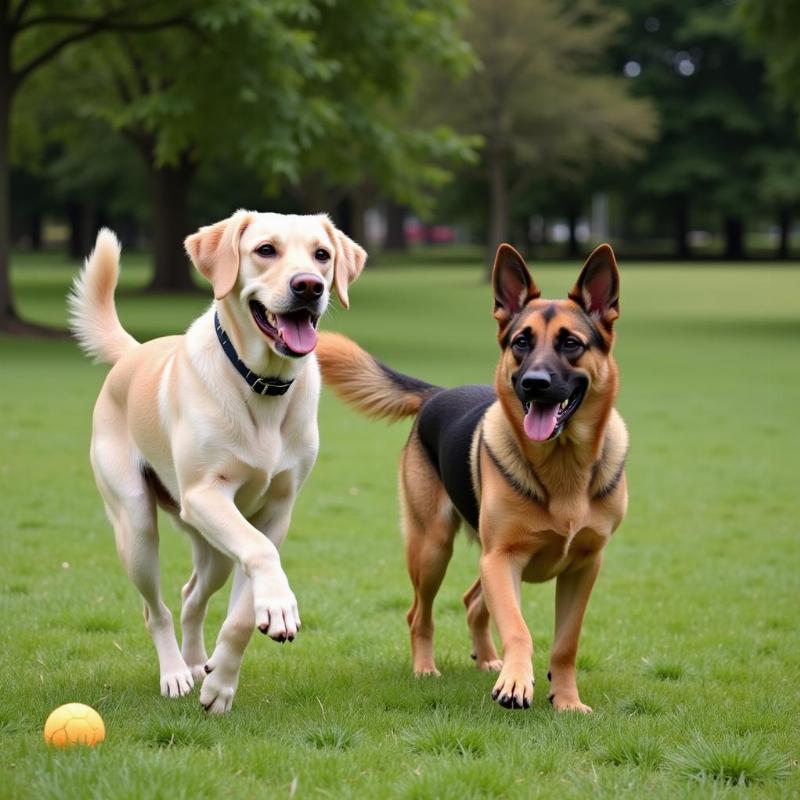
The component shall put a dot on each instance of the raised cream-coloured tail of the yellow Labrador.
(93, 316)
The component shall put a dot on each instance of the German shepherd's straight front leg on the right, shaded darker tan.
(572, 595)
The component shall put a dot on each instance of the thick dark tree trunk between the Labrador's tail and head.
(170, 193)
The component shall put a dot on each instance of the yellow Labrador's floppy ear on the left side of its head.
(214, 250)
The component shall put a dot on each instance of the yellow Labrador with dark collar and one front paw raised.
(218, 427)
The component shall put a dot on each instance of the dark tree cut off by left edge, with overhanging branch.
(32, 34)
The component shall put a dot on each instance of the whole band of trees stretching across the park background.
(157, 117)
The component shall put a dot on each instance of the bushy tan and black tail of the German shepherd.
(366, 383)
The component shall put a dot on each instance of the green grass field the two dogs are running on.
(691, 650)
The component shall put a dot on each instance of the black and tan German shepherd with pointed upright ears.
(534, 466)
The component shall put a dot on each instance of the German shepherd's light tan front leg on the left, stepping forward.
(501, 576)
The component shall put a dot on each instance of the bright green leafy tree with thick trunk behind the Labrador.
(306, 94)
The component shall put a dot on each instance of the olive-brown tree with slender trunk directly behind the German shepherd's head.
(542, 98)
